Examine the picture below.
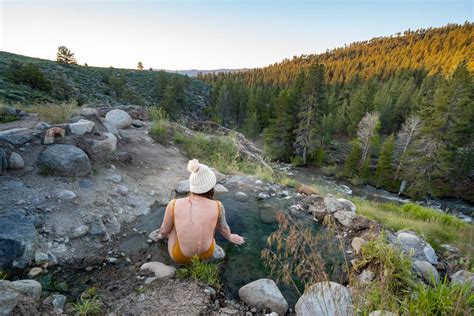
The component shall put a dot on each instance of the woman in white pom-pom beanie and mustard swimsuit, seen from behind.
(190, 223)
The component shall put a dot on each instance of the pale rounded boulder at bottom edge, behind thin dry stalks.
(325, 298)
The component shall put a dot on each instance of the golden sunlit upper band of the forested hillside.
(436, 50)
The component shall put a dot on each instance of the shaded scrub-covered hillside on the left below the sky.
(99, 86)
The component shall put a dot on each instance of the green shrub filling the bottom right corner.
(442, 299)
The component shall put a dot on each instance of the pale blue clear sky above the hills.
(208, 34)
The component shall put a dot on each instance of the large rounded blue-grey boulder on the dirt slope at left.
(64, 160)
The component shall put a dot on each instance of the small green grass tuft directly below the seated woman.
(201, 271)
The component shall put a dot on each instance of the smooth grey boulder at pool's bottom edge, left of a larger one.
(264, 293)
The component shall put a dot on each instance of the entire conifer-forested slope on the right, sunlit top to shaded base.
(405, 104)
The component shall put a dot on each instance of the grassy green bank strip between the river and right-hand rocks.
(436, 227)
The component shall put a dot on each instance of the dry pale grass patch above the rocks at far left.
(53, 113)
